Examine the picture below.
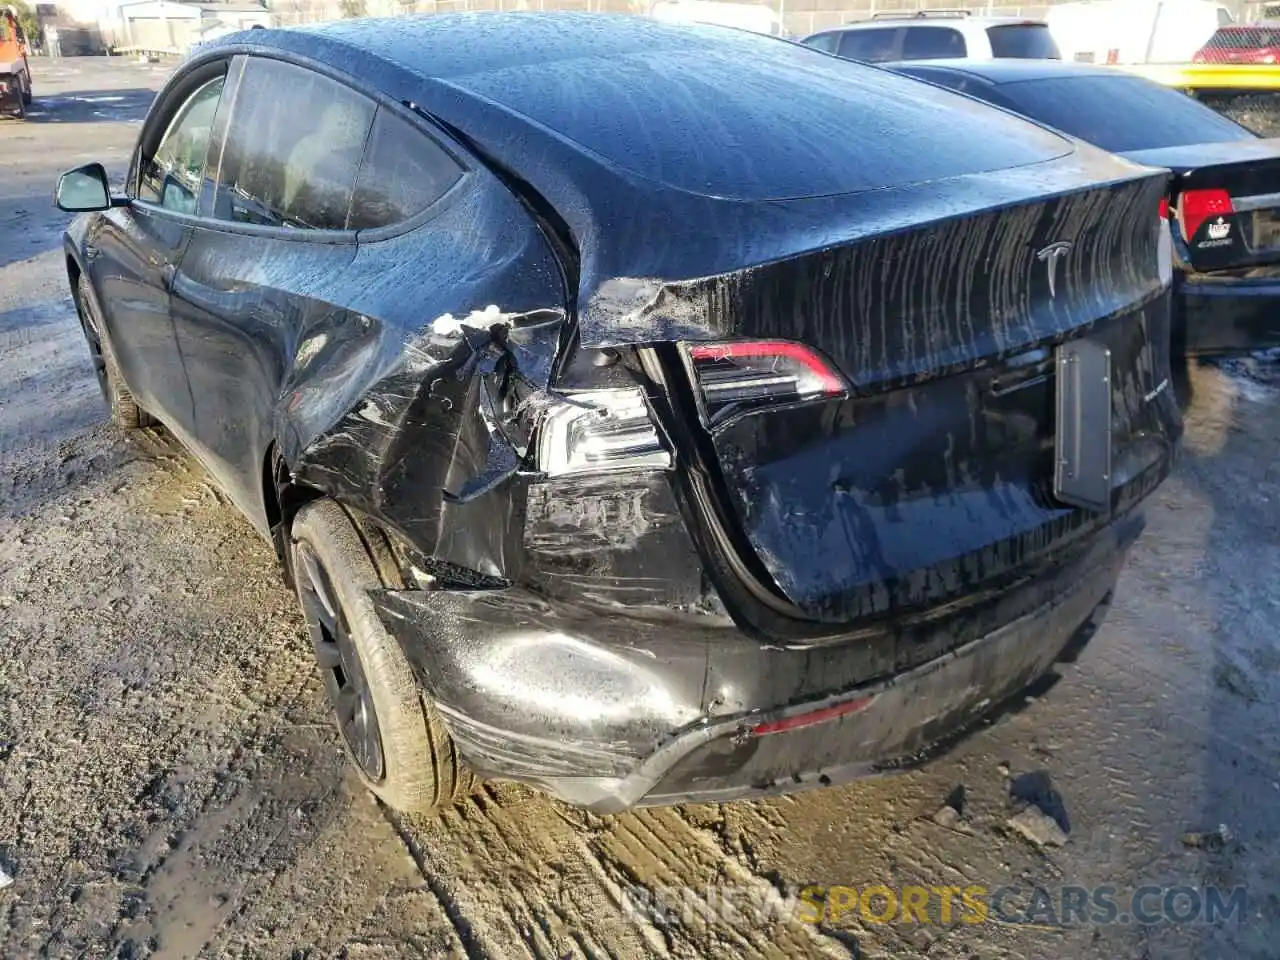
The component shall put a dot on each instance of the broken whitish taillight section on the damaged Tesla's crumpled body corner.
(588, 432)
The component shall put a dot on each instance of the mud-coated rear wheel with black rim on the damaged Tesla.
(417, 767)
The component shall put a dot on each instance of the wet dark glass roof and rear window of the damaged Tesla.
(632, 94)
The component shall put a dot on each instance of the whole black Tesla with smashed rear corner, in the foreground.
(597, 382)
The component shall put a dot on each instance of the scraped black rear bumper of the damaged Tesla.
(611, 712)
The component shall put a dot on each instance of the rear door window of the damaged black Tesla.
(294, 149)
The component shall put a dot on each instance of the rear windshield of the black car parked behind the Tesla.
(1122, 113)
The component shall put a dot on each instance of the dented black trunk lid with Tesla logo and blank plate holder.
(936, 474)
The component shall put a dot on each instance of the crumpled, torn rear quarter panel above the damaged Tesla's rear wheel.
(413, 414)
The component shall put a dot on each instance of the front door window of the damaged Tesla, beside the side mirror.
(173, 175)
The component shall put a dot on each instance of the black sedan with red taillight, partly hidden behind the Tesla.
(1224, 202)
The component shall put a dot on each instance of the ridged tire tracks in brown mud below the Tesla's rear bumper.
(522, 876)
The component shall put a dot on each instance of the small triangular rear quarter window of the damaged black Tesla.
(404, 173)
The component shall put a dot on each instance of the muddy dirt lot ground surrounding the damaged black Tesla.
(170, 785)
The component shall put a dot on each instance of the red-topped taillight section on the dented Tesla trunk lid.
(742, 376)
